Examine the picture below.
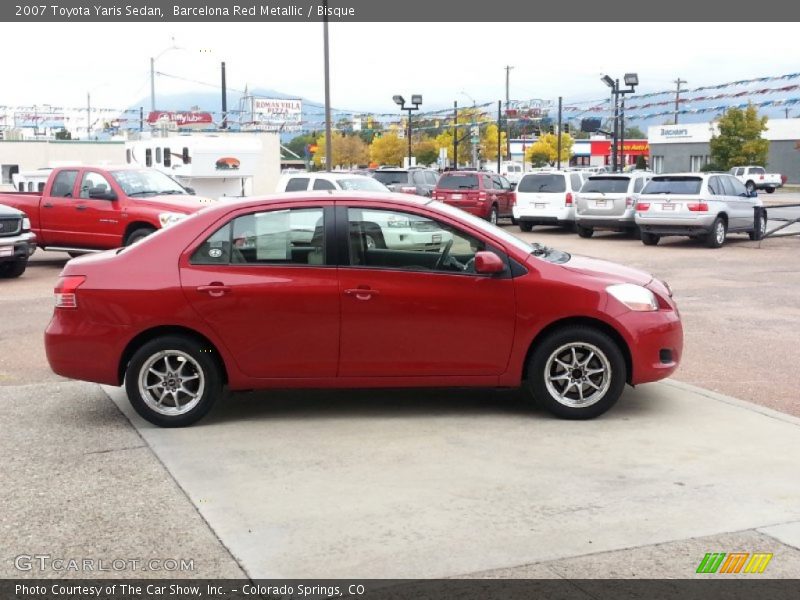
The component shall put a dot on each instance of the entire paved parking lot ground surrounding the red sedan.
(430, 484)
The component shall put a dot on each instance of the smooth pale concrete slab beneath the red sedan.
(445, 483)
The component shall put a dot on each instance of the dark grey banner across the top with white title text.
(409, 11)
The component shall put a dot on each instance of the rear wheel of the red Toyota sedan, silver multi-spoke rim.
(192, 367)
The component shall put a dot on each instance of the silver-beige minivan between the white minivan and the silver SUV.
(608, 202)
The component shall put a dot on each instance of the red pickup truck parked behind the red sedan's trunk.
(87, 209)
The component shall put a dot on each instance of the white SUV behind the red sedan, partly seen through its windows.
(408, 234)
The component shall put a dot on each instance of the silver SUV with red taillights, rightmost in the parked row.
(704, 206)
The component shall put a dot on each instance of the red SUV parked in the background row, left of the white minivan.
(485, 195)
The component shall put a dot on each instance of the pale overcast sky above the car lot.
(59, 63)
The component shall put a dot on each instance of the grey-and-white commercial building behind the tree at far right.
(686, 147)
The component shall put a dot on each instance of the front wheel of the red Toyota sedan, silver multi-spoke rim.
(555, 388)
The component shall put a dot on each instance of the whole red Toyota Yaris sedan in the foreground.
(310, 292)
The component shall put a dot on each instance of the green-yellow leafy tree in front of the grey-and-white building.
(739, 141)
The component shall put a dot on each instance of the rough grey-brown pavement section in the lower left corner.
(78, 482)
